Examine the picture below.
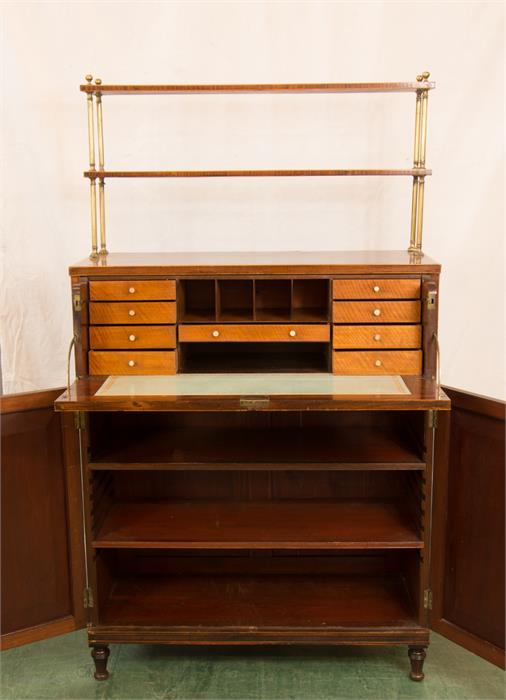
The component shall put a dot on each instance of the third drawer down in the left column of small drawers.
(132, 337)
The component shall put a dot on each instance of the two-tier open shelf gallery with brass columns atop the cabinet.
(418, 172)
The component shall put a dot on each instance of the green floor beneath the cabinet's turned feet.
(61, 668)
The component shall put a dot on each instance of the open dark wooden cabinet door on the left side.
(42, 555)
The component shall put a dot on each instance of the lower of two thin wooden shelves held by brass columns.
(411, 172)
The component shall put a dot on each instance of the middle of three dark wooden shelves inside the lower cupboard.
(258, 525)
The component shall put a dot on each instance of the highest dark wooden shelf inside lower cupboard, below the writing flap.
(200, 447)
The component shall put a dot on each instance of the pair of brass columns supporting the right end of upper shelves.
(420, 148)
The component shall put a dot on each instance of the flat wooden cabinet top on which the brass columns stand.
(253, 263)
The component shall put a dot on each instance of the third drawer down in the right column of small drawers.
(377, 337)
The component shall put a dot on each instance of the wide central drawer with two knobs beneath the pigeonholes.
(254, 333)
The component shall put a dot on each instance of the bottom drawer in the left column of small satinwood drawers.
(134, 362)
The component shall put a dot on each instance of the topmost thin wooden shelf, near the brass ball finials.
(258, 87)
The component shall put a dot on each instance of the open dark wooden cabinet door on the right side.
(468, 527)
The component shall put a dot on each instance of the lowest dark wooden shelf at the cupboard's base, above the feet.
(252, 603)
